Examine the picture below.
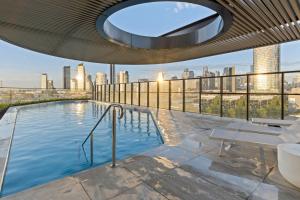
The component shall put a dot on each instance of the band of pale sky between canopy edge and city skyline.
(30, 78)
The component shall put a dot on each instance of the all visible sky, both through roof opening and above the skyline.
(22, 68)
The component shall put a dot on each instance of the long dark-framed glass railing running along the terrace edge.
(265, 95)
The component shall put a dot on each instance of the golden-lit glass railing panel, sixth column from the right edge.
(176, 94)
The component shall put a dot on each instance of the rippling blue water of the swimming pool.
(48, 137)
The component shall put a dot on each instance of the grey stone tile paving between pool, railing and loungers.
(187, 166)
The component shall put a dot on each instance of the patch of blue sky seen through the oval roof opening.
(157, 18)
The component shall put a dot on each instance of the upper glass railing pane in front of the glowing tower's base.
(265, 83)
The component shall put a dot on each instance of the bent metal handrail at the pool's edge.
(91, 134)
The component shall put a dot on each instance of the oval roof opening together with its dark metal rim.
(147, 24)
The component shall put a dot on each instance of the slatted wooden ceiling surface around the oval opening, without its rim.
(66, 28)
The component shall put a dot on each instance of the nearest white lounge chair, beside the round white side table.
(261, 140)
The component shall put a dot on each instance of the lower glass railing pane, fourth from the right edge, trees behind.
(210, 104)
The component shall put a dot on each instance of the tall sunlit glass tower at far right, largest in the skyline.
(266, 59)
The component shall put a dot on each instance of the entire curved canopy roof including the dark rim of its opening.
(78, 29)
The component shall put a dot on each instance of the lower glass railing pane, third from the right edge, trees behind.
(235, 106)
